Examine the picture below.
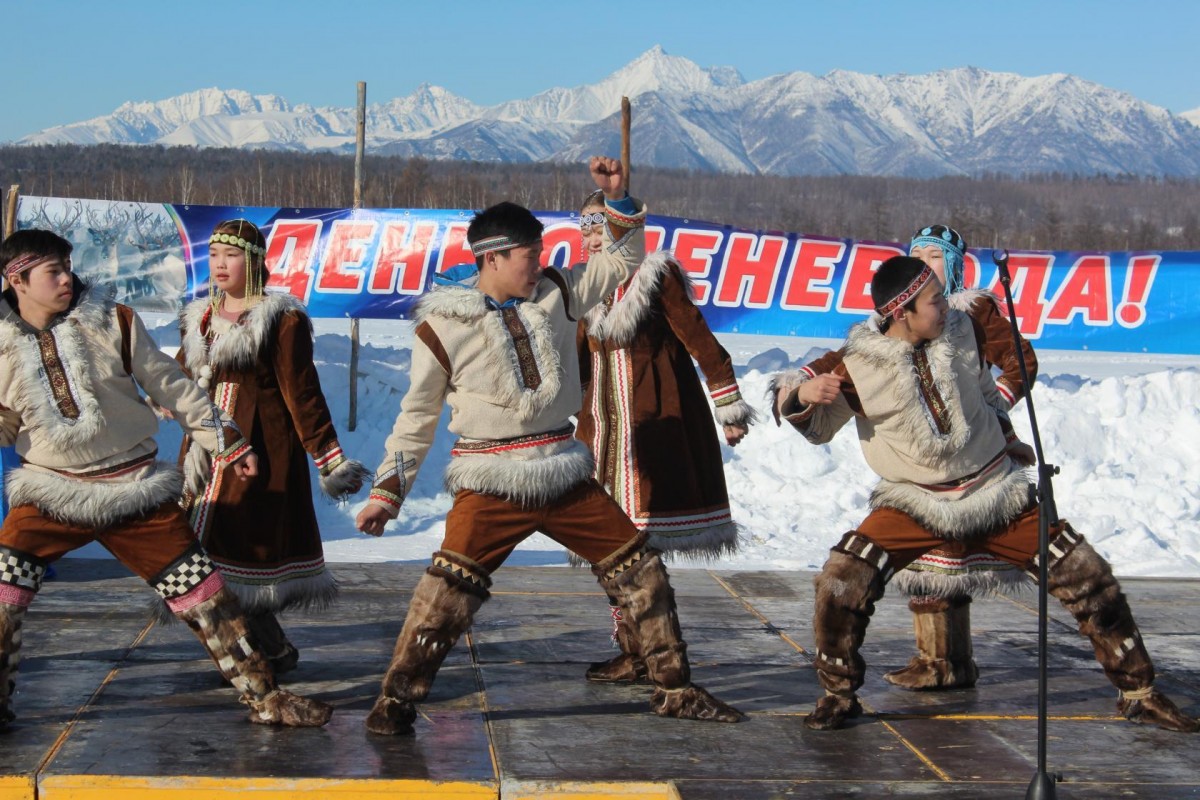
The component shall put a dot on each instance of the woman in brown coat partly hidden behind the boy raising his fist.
(649, 422)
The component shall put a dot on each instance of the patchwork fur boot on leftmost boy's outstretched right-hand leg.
(221, 628)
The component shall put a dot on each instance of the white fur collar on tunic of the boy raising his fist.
(467, 306)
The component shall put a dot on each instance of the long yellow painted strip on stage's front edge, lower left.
(107, 787)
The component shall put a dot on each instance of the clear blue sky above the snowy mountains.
(69, 62)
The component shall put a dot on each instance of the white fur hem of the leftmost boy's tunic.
(92, 503)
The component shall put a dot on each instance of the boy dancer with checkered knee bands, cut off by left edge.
(71, 366)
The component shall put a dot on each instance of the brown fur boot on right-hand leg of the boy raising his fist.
(635, 576)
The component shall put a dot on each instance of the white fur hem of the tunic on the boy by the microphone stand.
(961, 515)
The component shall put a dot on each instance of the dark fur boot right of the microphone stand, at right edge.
(1084, 582)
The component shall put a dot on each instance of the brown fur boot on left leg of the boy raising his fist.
(445, 604)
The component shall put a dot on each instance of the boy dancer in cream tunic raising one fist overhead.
(500, 350)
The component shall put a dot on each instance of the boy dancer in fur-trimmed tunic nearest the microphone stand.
(931, 424)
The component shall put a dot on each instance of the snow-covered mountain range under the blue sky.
(955, 122)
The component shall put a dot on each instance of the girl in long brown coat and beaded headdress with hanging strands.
(253, 353)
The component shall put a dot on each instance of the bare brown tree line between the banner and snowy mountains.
(1036, 212)
